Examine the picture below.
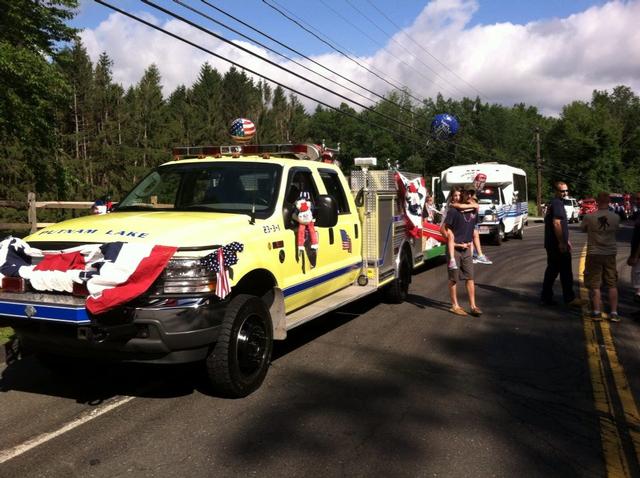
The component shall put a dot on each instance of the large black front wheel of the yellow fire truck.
(237, 364)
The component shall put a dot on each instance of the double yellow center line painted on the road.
(615, 457)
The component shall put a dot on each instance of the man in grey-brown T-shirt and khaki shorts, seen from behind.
(600, 266)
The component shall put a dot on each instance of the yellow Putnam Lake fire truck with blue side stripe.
(204, 200)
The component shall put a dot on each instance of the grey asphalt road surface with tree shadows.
(372, 390)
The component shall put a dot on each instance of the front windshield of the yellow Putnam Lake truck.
(234, 187)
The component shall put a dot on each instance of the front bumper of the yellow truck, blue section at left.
(168, 332)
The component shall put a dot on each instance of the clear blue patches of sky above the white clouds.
(402, 12)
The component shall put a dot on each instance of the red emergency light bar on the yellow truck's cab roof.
(300, 151)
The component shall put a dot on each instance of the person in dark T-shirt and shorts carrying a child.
(462, 224)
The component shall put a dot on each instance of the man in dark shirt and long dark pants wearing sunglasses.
(556, 242)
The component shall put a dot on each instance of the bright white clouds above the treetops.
(546, 63)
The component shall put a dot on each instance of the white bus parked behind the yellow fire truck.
(503, 199)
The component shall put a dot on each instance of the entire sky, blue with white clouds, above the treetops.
(544, 53)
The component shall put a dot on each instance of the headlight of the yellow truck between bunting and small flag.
(187, 275)
